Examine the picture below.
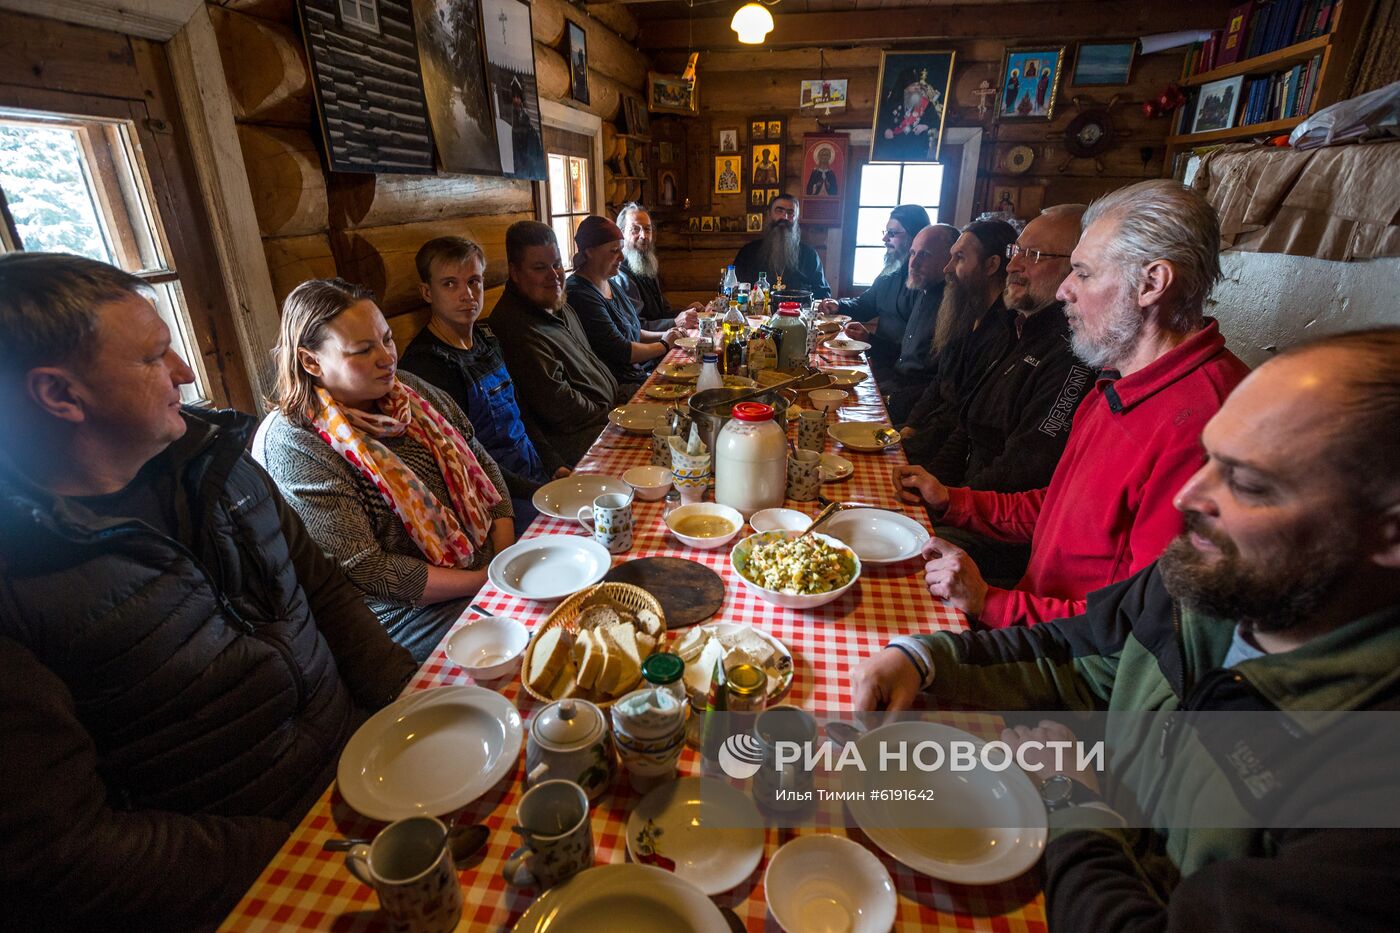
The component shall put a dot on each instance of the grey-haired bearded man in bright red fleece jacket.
(1135, 298)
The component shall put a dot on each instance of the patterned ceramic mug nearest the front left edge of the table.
(411, 868)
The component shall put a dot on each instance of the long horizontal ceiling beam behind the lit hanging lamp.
(1013, 22)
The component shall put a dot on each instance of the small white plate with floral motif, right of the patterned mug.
(712, 831)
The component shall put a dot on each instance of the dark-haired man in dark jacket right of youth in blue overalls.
(559, 380)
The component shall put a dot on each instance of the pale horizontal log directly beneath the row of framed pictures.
(383, 201)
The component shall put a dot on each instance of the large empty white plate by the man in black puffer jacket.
(430, 753)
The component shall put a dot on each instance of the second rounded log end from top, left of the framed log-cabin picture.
(286, 179)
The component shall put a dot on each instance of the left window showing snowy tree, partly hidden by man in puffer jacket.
(79, 186)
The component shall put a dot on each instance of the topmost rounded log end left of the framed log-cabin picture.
(265, 65)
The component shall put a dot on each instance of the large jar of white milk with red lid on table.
(751, 460)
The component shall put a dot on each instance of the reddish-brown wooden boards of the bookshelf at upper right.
(1335, 50)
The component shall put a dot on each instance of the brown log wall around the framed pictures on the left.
(369, 228)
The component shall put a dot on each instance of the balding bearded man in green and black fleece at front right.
(1282, 596)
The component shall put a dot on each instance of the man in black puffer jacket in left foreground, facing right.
(183, 663)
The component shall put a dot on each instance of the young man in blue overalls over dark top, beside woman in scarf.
(463, 358)
